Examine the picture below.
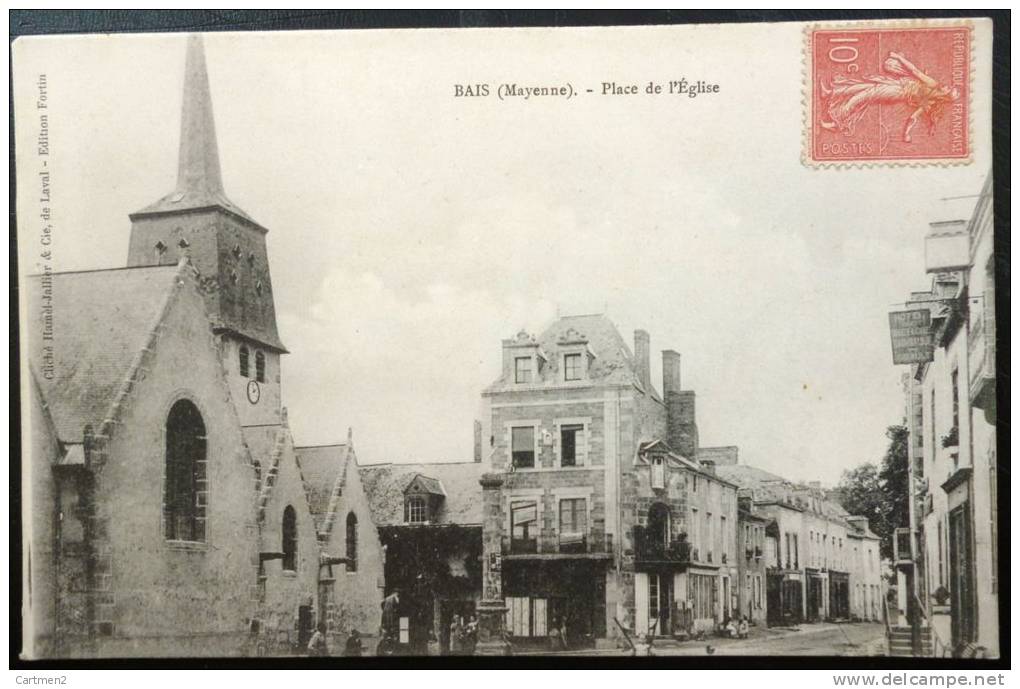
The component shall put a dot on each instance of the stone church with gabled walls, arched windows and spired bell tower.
(166, 509)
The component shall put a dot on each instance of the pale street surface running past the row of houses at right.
(825, 639)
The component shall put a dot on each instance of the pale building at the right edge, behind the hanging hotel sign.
(951, 408)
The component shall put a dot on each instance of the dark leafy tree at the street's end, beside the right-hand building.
(881, 494)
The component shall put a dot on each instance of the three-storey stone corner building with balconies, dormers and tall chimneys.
(608, 520)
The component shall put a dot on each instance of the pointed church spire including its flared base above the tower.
(200, 183)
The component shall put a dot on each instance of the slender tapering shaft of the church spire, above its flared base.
(198, 165)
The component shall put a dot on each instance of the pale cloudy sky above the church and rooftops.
(412, 231)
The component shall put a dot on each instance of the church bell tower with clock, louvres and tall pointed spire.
(226, 247)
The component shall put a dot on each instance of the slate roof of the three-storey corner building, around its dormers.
(614, 363)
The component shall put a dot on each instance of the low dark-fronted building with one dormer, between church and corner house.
(429, 518)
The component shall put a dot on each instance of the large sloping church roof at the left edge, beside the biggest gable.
(101, 322)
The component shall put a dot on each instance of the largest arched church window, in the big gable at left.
(184, 511)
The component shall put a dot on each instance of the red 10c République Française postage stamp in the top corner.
(899, 94)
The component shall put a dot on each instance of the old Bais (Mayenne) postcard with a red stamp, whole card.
(625, 341)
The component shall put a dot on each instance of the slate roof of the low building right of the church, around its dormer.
(385, 485)
